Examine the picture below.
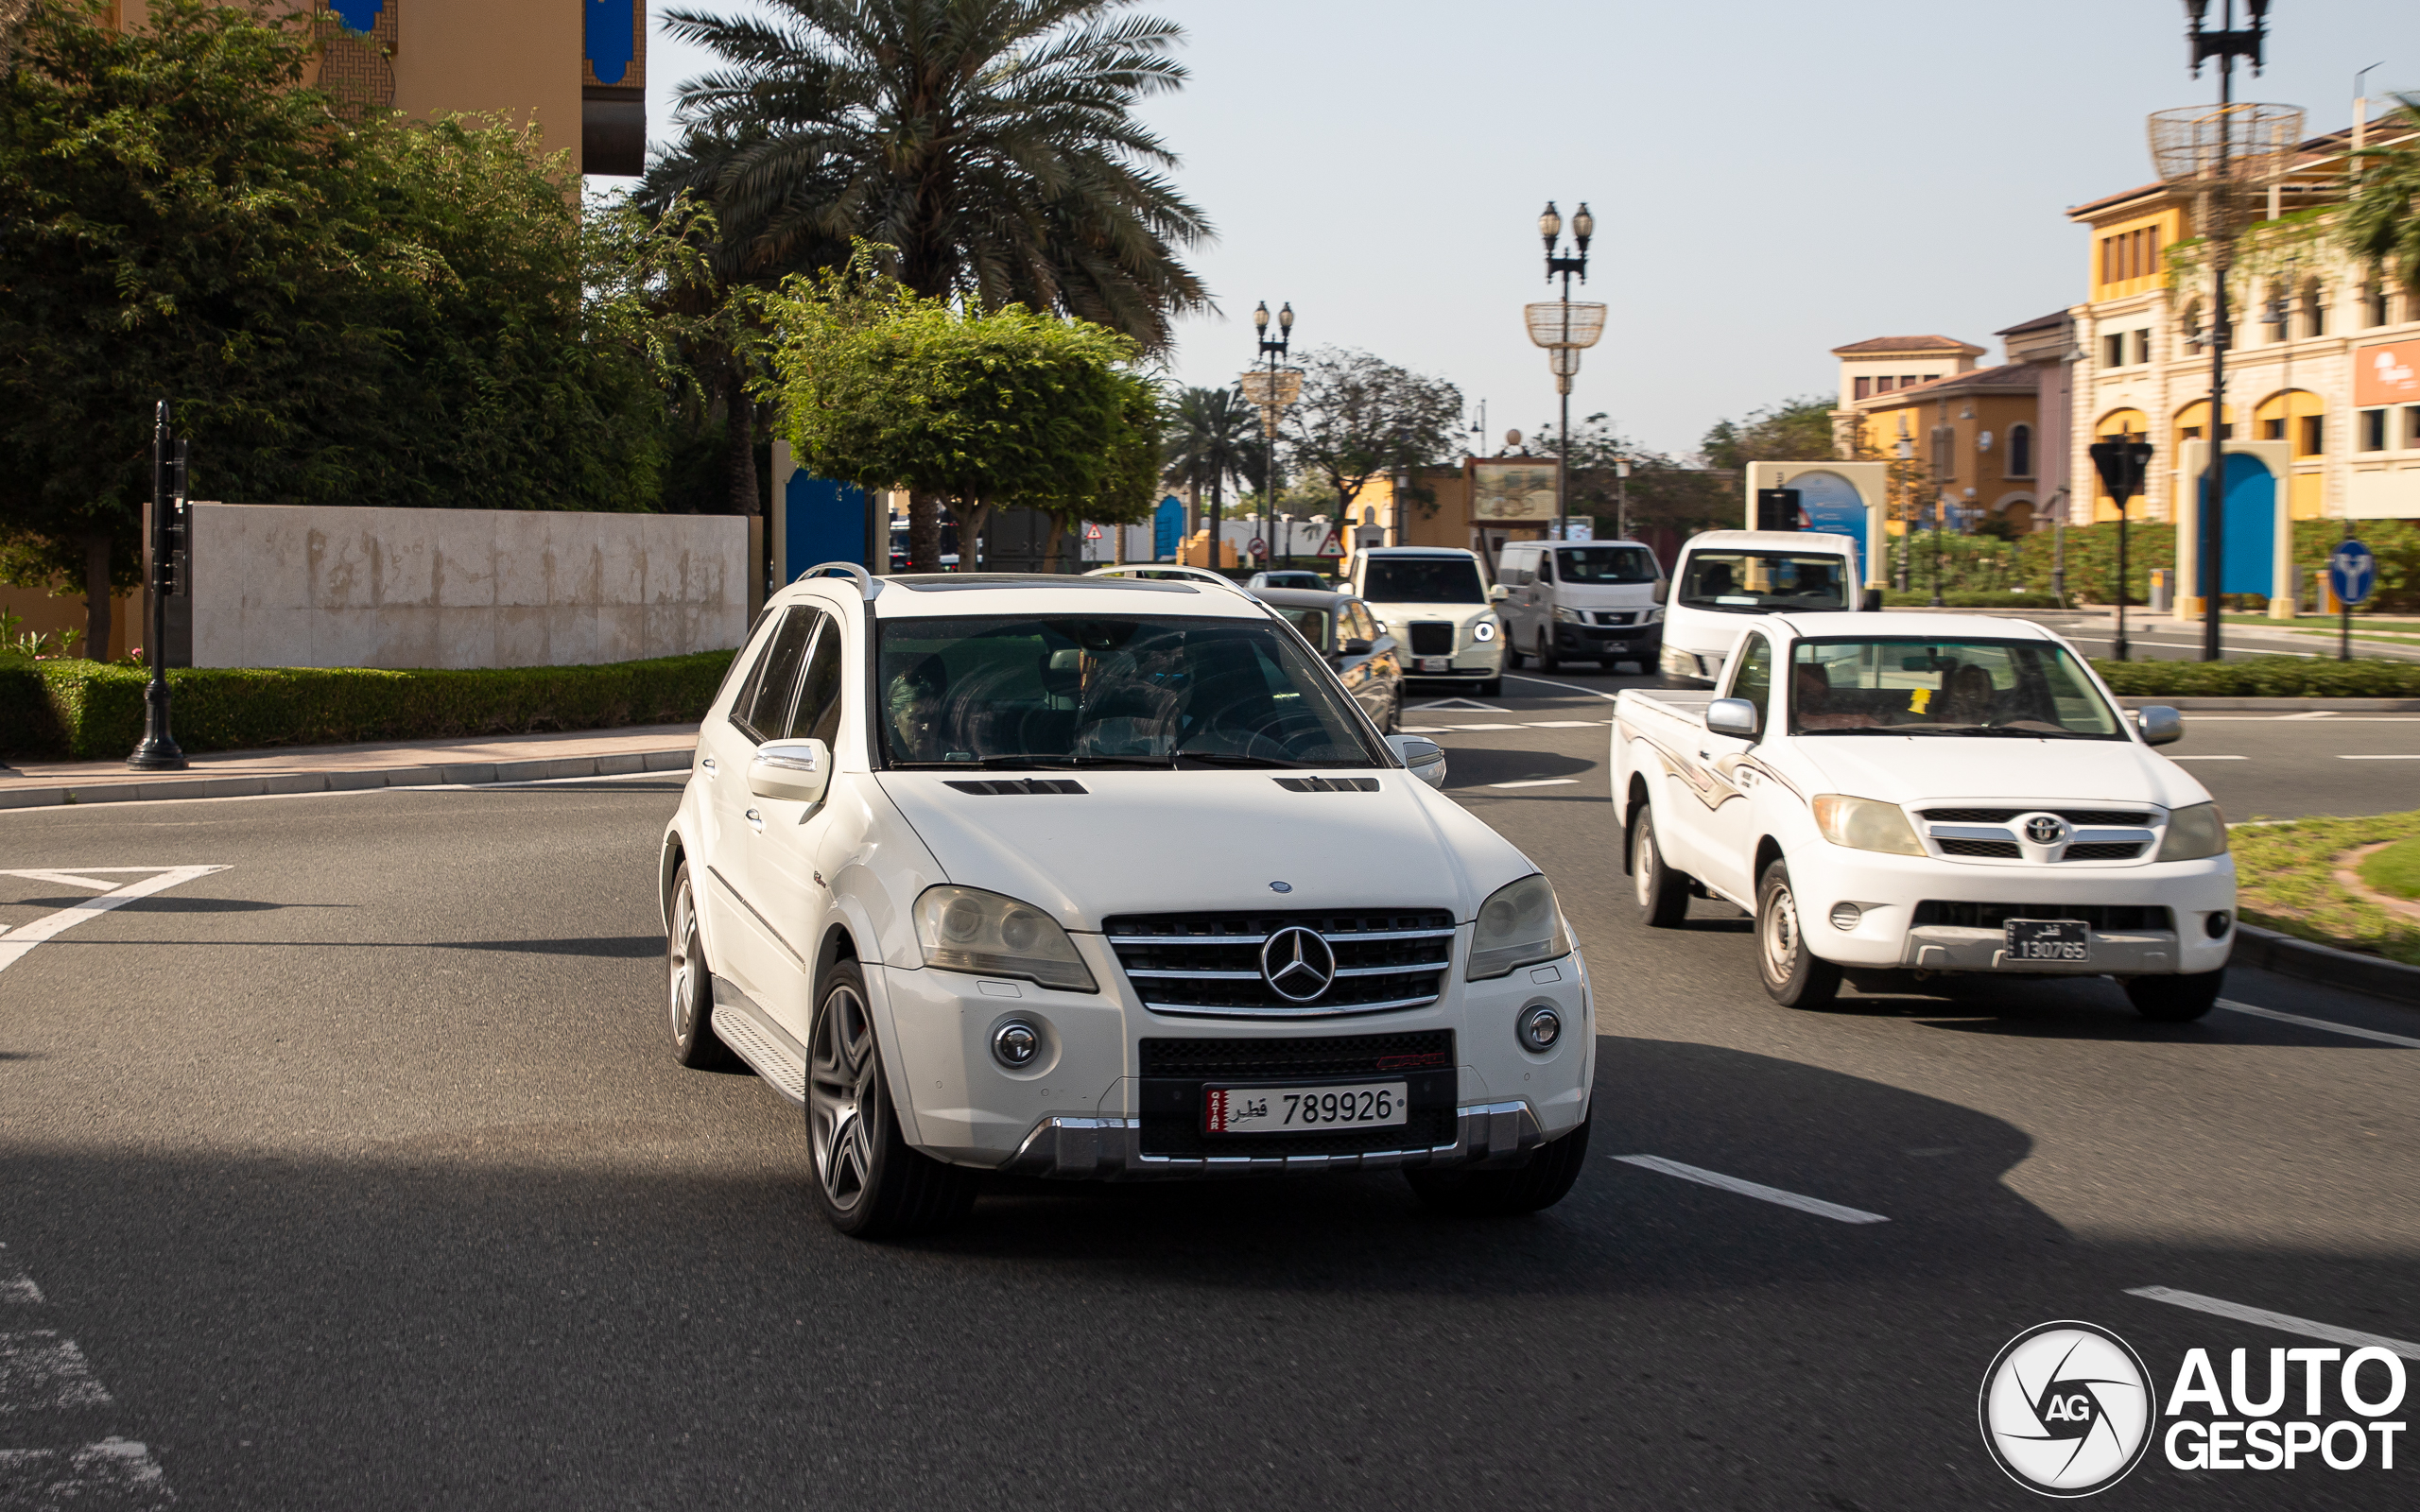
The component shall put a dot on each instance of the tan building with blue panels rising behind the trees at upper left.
(575, 69)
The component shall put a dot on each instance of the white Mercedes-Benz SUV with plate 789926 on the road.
(1105, 879)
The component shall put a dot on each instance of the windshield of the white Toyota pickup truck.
(1947, 688)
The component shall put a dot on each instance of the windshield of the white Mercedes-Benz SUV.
(1066, 691)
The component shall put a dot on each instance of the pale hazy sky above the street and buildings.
(1770, 178)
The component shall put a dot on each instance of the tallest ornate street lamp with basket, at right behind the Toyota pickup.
(2220, 156)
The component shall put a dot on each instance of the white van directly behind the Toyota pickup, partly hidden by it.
(1727, 575)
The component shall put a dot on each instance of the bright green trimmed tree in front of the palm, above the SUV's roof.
(887, 388)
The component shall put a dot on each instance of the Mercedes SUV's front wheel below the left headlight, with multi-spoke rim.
(868, 1179)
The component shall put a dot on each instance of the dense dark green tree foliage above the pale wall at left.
(340, 311)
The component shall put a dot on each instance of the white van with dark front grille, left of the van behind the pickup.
(1581, 601)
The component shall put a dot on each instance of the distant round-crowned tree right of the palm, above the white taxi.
(1364, 417)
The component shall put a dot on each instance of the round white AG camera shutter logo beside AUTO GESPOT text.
(2068, 1409)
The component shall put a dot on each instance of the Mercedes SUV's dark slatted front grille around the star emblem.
(1209, 966)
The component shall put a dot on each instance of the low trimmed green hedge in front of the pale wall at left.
(88, 710)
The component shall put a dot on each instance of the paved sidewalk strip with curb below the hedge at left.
(347, 768)
